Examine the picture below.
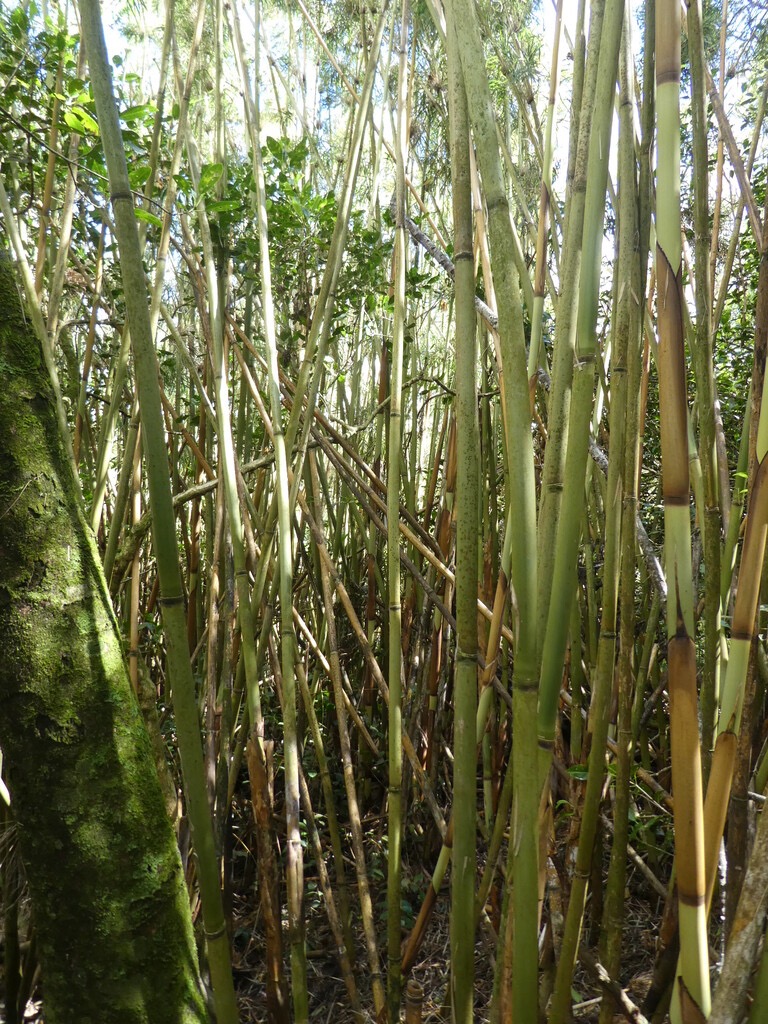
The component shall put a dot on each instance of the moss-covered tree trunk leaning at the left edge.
(111, 910)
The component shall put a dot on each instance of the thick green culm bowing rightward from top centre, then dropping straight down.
(524, 845)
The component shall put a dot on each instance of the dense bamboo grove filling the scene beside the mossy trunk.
(410, 359)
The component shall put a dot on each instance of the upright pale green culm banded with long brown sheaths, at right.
(687, 755)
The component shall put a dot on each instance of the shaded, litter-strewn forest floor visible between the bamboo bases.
(329, 999)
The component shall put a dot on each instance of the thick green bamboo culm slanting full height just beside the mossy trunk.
(164, 530)
